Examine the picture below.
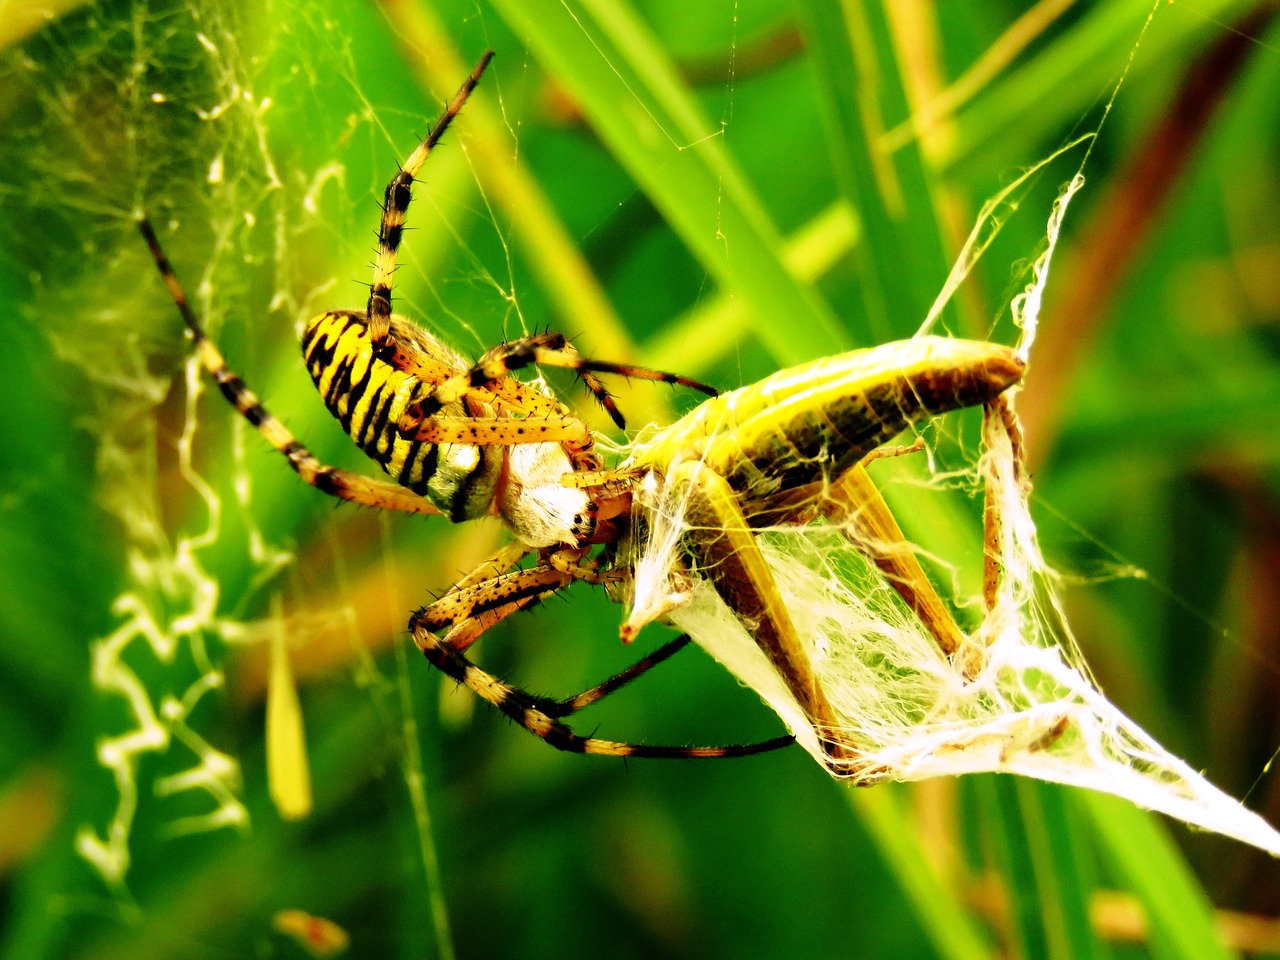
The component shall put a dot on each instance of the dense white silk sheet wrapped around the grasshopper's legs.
(1025, 705)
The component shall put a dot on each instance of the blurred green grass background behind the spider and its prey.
(721, 189)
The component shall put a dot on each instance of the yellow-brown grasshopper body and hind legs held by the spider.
(728, 487)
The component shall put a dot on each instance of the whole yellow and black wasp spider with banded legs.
(467, 441)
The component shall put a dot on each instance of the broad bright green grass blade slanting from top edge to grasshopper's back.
(653, 126)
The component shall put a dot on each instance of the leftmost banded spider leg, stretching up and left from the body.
(342, 484)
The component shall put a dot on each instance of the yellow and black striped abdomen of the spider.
(369, 396)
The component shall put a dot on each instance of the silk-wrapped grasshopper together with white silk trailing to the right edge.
(757, 531)
